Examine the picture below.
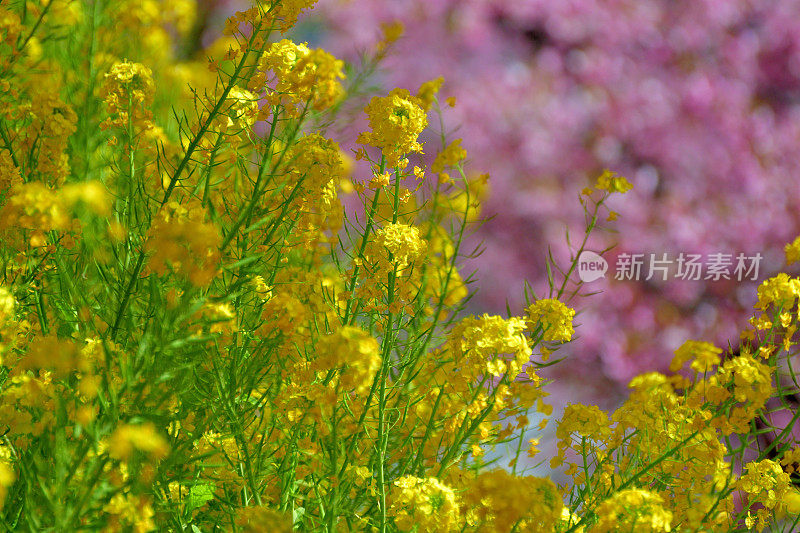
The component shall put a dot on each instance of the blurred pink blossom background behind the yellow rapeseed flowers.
(697, 102)
